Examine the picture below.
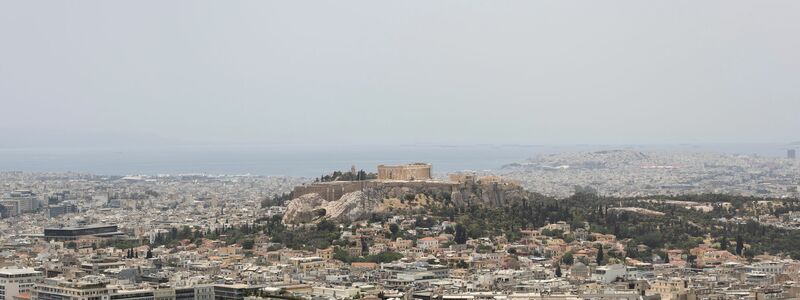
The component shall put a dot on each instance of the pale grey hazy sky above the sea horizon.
(296, 72)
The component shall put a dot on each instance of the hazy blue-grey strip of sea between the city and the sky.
(311, 161)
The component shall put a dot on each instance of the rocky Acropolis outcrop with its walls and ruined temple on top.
(397, 187)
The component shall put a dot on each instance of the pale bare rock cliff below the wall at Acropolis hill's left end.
(350, 207)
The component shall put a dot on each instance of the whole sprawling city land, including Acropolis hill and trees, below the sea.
(592, 225)
